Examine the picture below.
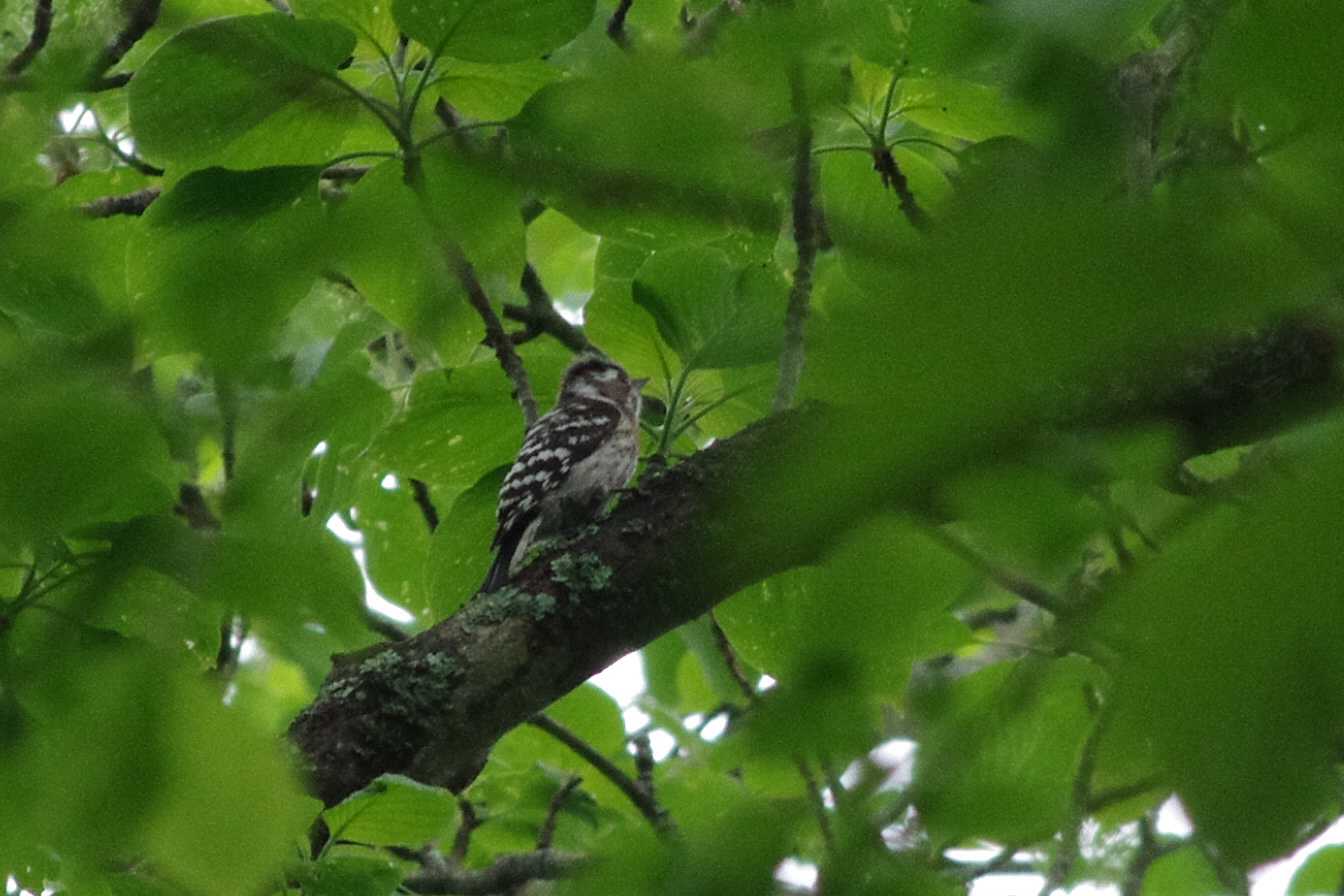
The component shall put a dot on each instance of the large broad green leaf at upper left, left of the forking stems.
(245, 92)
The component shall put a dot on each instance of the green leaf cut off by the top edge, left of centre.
(493, 30)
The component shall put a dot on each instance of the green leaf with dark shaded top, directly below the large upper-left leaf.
(222, 257)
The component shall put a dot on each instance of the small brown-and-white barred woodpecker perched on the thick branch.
(572, 461)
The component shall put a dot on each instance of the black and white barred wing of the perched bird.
(556, 444)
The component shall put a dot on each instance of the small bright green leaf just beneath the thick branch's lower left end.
(394, 812)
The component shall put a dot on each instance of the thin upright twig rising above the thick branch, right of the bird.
(806, 240)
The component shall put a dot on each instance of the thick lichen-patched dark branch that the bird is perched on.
(739, 512)
